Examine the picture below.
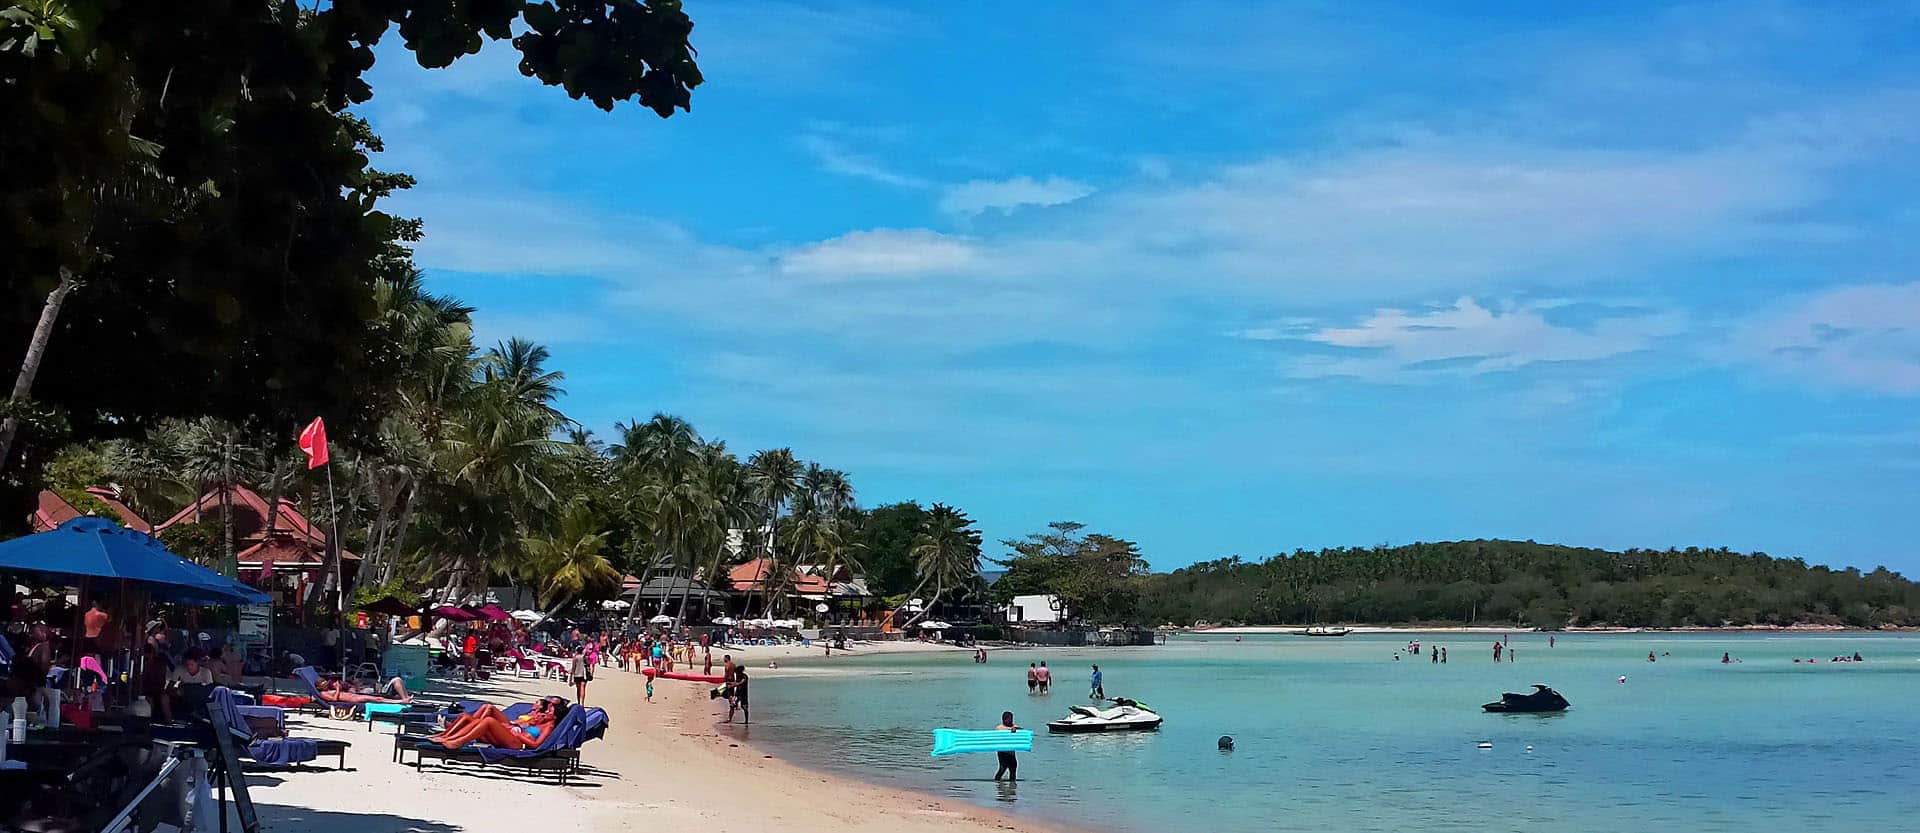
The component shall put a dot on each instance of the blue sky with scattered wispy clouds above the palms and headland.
(1232, 279)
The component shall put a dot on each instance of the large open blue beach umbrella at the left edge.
(99, 548)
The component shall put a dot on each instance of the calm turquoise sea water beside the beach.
(1335, 736)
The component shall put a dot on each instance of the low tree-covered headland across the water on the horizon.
(1533, 584)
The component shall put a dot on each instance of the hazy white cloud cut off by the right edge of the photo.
(1858, 337)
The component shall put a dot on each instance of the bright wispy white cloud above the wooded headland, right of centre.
(1472, 339)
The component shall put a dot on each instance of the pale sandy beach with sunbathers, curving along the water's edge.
(671, 765)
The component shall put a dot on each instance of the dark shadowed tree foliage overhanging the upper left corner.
(191, 174)
